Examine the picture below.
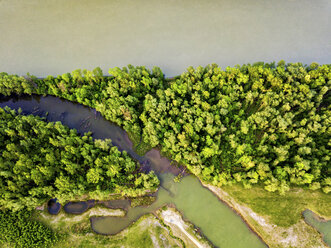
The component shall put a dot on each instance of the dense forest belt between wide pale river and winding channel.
(261, 123)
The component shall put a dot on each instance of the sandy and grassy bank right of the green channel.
(289, 230)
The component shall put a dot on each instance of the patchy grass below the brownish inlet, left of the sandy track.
(77, 232)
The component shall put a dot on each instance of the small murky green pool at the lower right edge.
(323, 226)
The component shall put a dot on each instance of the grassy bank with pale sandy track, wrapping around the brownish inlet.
(164, 228)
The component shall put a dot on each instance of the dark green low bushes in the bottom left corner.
(18, 230)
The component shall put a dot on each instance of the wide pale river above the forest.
(55, 37)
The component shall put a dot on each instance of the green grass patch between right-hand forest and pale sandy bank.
(282, 210)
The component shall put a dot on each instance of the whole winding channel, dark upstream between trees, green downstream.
(218, 222)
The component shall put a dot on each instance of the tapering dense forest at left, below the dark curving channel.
(42, 160)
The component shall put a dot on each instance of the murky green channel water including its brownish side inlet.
(198, 205)
